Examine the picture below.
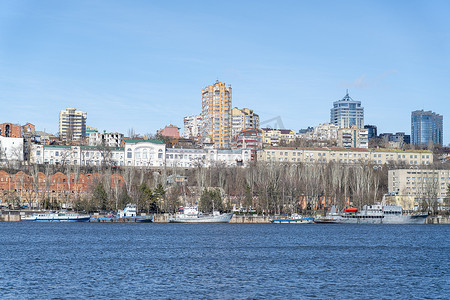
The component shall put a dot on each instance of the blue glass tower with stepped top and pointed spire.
(347, 113)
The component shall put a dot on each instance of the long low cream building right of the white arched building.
(345, 156)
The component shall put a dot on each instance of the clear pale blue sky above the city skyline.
(142, 64)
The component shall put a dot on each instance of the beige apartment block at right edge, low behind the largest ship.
(408, 187)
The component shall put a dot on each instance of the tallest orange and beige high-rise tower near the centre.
(216, 115)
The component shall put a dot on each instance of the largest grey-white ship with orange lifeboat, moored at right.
(372, 214)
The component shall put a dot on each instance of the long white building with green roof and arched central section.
(138, 153)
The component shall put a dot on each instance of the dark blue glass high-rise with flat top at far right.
(426, 127)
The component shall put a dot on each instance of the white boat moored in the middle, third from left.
(192, 215)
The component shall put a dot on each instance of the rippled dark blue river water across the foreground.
(223, 261)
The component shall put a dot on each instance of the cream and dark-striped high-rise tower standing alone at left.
(72, 124)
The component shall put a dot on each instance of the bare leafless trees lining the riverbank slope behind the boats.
(265, 187)
